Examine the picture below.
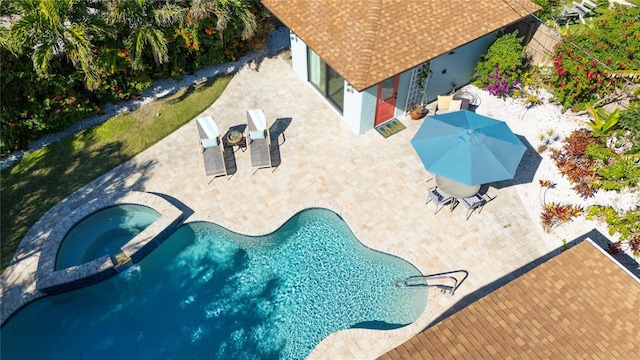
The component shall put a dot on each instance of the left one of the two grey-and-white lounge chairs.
(212, 147)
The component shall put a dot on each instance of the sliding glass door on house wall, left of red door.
(325, 79)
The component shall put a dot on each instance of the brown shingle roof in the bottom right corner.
(579, 304)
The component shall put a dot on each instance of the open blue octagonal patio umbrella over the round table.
(468, 148)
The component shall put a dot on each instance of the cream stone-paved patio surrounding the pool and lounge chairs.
(376, 184)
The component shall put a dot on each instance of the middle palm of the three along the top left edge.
(143, 23)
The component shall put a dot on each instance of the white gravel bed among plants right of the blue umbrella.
(535, 124)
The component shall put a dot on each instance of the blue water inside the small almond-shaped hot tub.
(103, 233)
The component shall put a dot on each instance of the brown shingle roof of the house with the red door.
(368, 41)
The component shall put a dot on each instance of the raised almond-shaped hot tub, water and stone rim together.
(100, 238)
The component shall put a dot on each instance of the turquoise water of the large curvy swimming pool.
(208, 293)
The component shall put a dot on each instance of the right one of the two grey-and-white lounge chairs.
(259, 141)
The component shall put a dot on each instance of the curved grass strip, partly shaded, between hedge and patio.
(47, 176)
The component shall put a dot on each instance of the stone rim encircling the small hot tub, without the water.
(51, 281)
